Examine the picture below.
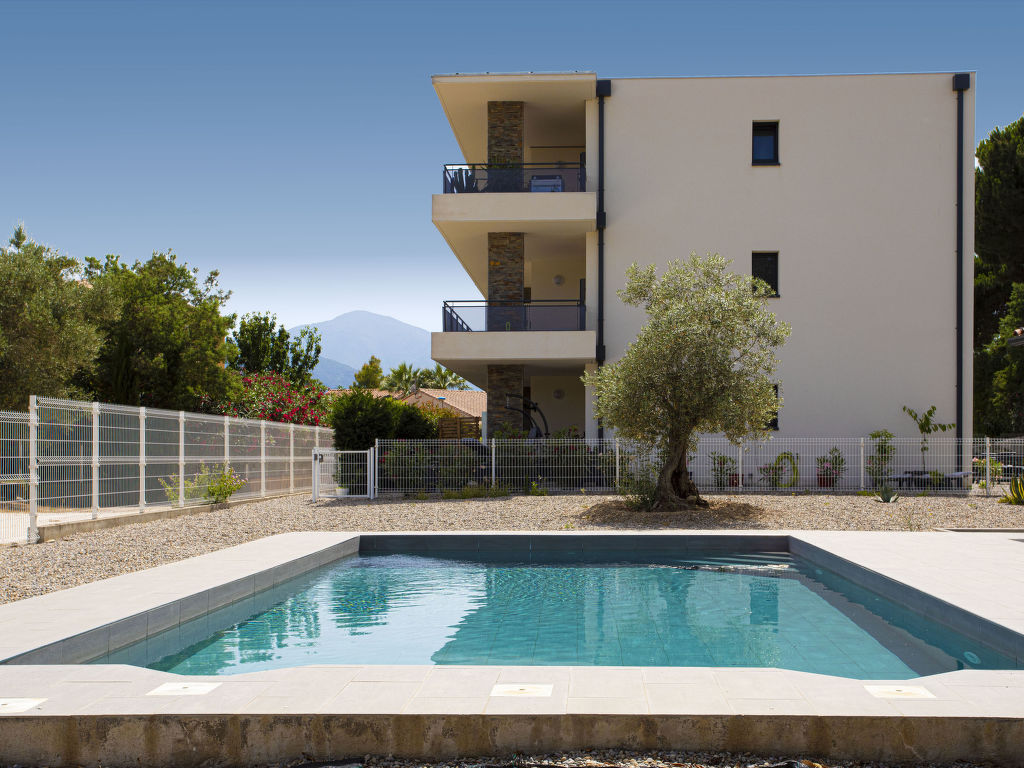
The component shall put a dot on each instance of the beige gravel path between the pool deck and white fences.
(46, 568)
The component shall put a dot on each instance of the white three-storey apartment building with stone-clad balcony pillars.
(852, 195)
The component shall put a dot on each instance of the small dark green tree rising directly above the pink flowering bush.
(264, 348)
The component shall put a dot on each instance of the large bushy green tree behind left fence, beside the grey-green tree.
(166, 347)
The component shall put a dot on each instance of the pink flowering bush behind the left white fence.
(273, 398)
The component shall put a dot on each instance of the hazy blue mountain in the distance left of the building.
(350, 339)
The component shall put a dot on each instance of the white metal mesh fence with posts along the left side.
(67, 460)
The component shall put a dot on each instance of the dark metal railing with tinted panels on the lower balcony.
(514, 316)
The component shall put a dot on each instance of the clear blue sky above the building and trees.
(295, 146)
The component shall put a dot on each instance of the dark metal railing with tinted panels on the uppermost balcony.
(539, 178)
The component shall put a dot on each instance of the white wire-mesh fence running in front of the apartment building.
(776, 466)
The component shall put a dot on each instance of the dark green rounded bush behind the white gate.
(360, 419)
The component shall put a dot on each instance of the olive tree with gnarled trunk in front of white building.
(703, 363)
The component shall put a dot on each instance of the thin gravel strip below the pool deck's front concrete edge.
(622, 759)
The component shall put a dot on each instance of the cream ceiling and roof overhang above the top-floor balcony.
(556, 107)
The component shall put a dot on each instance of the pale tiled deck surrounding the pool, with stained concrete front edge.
(56, 711)
